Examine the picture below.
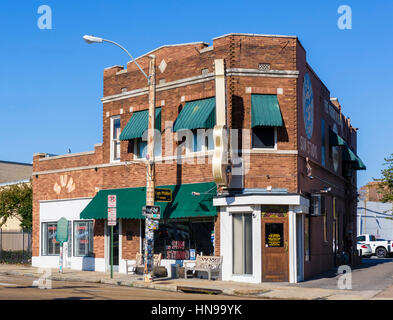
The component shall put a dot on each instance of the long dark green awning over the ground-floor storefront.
(131, 200)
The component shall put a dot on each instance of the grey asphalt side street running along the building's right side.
(373, 274)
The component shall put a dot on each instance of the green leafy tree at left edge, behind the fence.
(17, 201)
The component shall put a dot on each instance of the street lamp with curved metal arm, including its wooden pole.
(150, 176)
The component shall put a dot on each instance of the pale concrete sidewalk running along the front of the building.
(262, 290)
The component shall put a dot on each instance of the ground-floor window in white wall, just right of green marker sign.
(83, 238)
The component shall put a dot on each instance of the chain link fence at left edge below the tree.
(15, 246)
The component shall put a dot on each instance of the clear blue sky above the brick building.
(51, 81)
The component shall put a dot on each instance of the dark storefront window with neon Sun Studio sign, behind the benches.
(181, 240)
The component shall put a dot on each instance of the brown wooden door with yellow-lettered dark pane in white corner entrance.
(275, 246)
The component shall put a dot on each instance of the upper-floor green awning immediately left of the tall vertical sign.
(198, 114)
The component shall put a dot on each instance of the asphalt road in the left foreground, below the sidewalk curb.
(21, 288)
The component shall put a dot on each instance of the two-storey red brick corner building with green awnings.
(291, 202)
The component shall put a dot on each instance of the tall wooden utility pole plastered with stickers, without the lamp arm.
(150, 175)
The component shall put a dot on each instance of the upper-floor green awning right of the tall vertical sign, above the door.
(265, 111)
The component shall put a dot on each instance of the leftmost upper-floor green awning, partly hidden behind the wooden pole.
(139, 123)
